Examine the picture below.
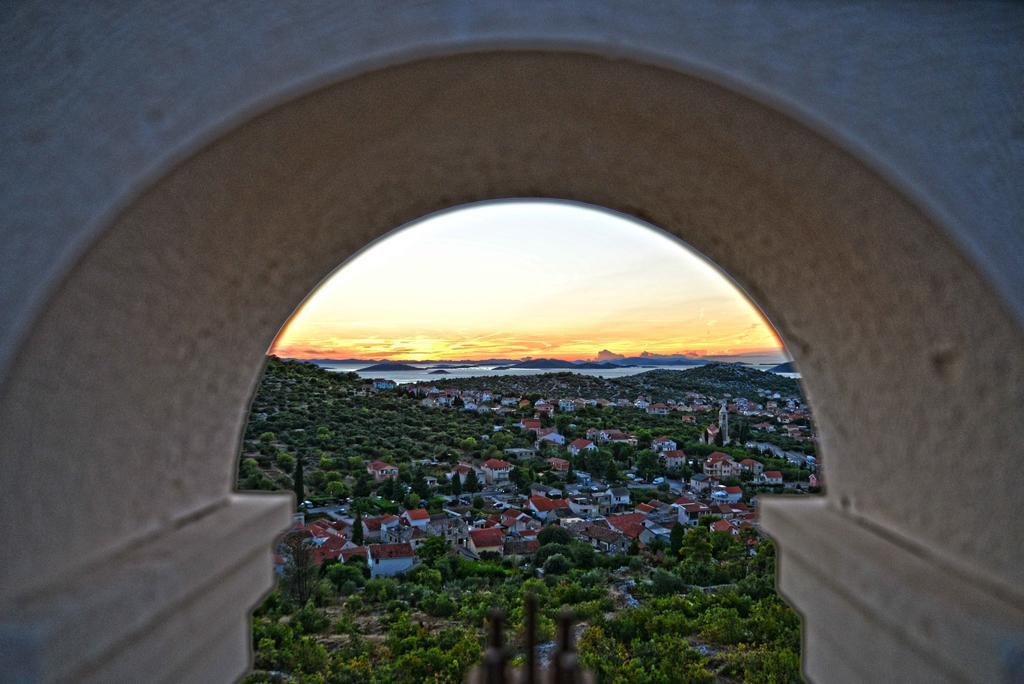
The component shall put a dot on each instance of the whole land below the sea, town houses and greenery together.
(422, 507)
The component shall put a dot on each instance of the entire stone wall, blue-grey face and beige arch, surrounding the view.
(138, 301)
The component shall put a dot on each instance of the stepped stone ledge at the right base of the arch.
(916, 618)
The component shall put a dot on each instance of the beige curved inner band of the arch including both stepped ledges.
(121, 410)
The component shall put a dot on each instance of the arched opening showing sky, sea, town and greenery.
(528, 399)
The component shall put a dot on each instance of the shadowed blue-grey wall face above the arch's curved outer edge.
(925, 92)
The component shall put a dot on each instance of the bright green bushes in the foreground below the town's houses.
(428, 626)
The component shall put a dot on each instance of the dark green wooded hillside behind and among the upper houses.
(335, 424)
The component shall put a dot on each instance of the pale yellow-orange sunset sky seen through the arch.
(525, 279)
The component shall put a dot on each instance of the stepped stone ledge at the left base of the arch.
(197, 579)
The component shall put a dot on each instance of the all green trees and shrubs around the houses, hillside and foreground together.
(703, 609)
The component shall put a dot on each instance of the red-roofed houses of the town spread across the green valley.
(719, 490)
